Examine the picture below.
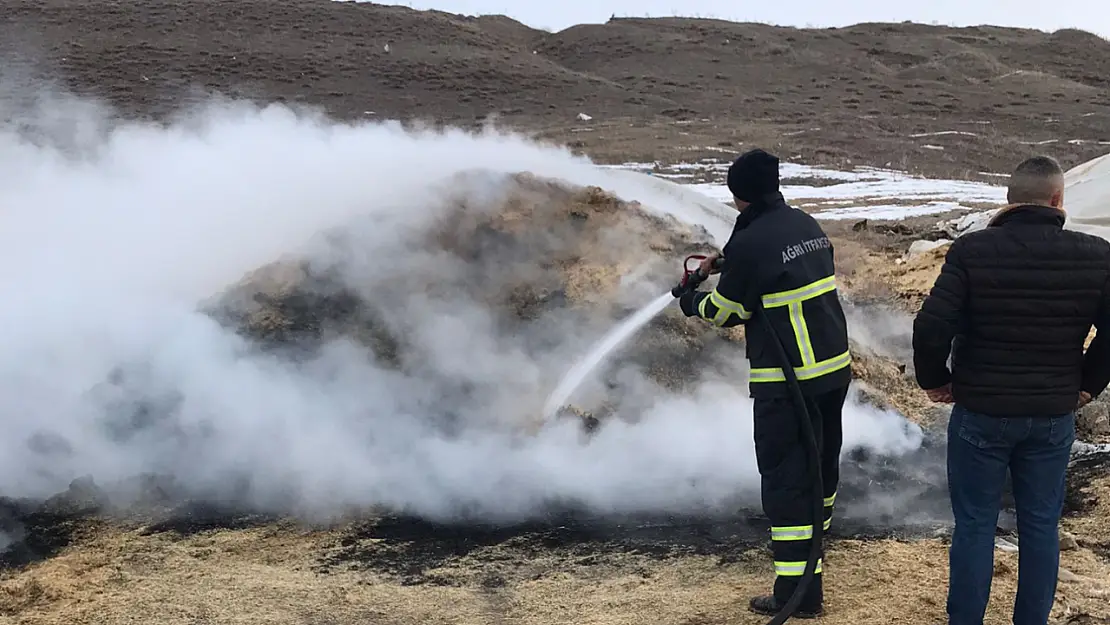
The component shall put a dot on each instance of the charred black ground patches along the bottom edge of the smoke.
(409, 548)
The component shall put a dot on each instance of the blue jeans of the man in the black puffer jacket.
(981, 449)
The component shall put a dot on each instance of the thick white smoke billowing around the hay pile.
(113, 234)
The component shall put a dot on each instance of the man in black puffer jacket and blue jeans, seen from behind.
(1014, 306)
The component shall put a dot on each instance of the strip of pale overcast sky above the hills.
(557, 15)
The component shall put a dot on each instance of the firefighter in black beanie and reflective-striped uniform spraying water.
(781, 256)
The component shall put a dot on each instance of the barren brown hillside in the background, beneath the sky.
(869, 94)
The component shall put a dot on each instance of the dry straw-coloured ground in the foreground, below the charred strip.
(271, 577)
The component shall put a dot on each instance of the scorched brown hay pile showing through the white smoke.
(548, 258)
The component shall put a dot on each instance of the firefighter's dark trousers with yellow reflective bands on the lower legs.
(783, 457)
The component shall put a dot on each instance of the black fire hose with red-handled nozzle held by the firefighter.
(692, 279)
